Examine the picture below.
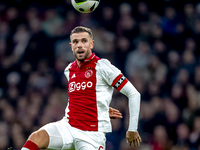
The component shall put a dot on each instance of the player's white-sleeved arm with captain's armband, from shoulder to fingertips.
(113, 76)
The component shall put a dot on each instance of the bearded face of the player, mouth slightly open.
(82, 45)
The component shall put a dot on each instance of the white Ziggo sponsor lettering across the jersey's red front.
(79, 86)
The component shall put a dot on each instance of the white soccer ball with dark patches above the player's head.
(85, 6)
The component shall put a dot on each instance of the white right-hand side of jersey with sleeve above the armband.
(105, 75)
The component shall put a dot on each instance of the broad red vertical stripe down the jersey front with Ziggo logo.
(82, 96)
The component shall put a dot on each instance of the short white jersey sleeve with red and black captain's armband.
(111, 75)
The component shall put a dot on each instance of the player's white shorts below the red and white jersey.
(65, 137)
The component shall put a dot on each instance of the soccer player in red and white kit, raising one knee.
(91, 82)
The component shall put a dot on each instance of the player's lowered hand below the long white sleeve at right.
(133, 137)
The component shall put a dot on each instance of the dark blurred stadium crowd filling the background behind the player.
(155, 44)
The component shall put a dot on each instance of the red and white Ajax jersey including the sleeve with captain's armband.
(90, 90)
